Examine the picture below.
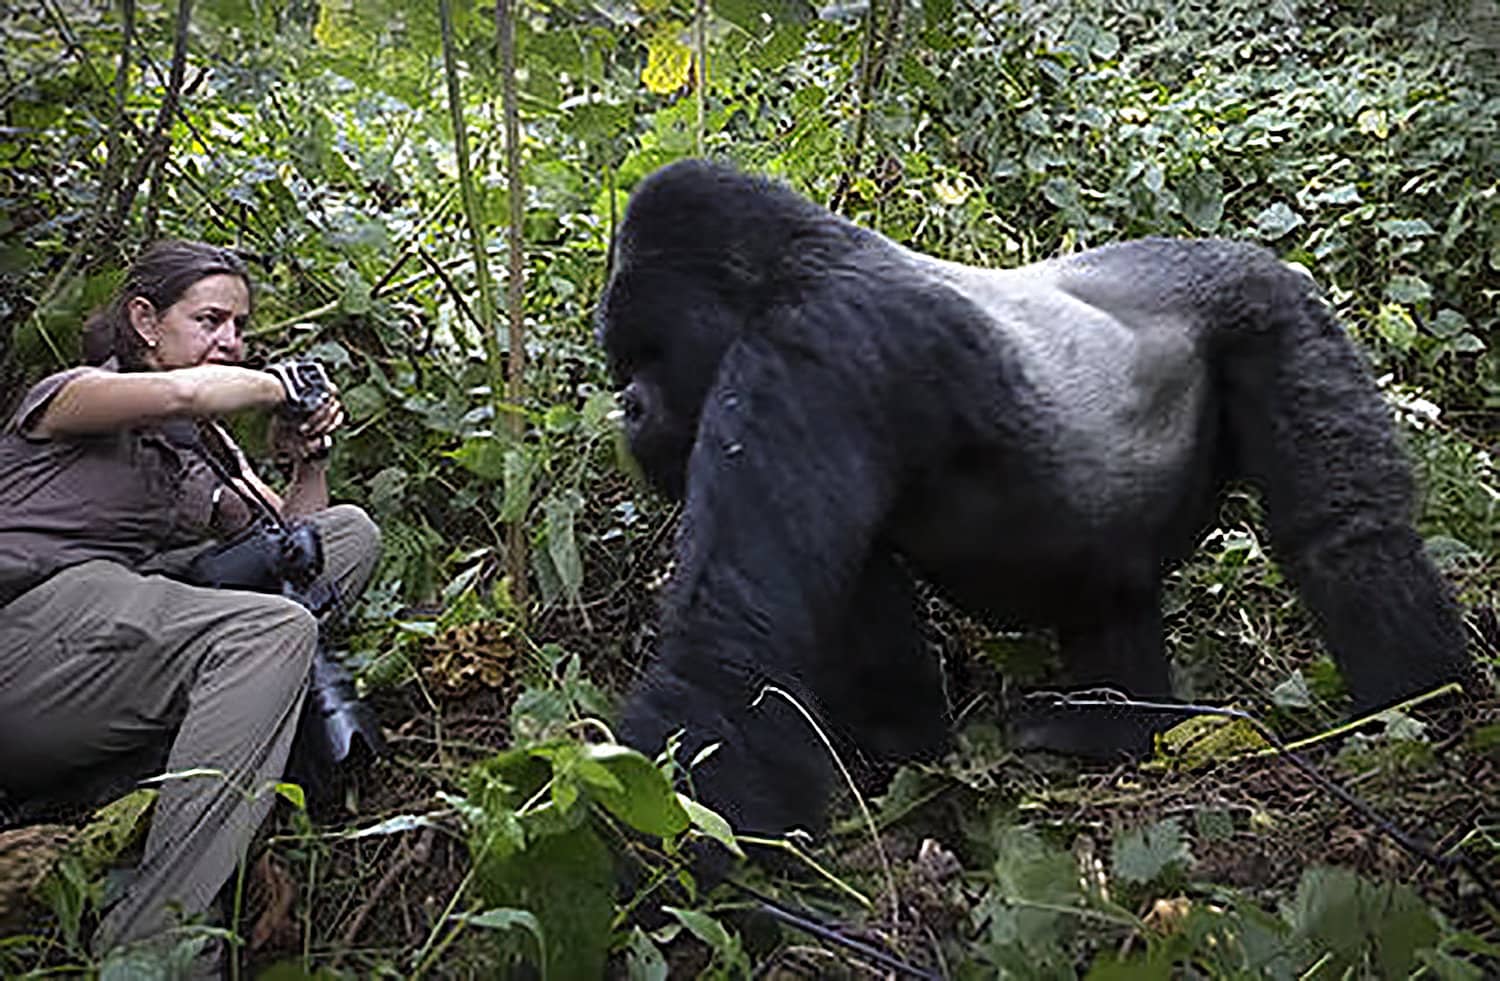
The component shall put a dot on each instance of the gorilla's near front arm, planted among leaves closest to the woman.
(787, 484)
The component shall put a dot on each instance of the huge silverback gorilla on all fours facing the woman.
(839, 413)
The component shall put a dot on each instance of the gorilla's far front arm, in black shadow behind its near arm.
(878, 683)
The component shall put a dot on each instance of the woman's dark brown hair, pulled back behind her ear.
(163, 275)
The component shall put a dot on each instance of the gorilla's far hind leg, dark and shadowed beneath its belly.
(1114, 641)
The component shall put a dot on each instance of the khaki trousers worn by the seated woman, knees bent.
(100, 661)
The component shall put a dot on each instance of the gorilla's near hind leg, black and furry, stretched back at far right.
(1315, 434)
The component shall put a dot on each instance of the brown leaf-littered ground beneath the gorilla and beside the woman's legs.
(379, 904)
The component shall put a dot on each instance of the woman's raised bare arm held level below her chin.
(103, 401)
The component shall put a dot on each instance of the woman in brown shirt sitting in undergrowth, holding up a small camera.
(104, 497)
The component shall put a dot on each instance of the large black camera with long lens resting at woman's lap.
(269, 557)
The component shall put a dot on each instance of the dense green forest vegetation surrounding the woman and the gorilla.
(359, 151)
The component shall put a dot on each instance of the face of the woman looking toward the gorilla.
(205, 326)
